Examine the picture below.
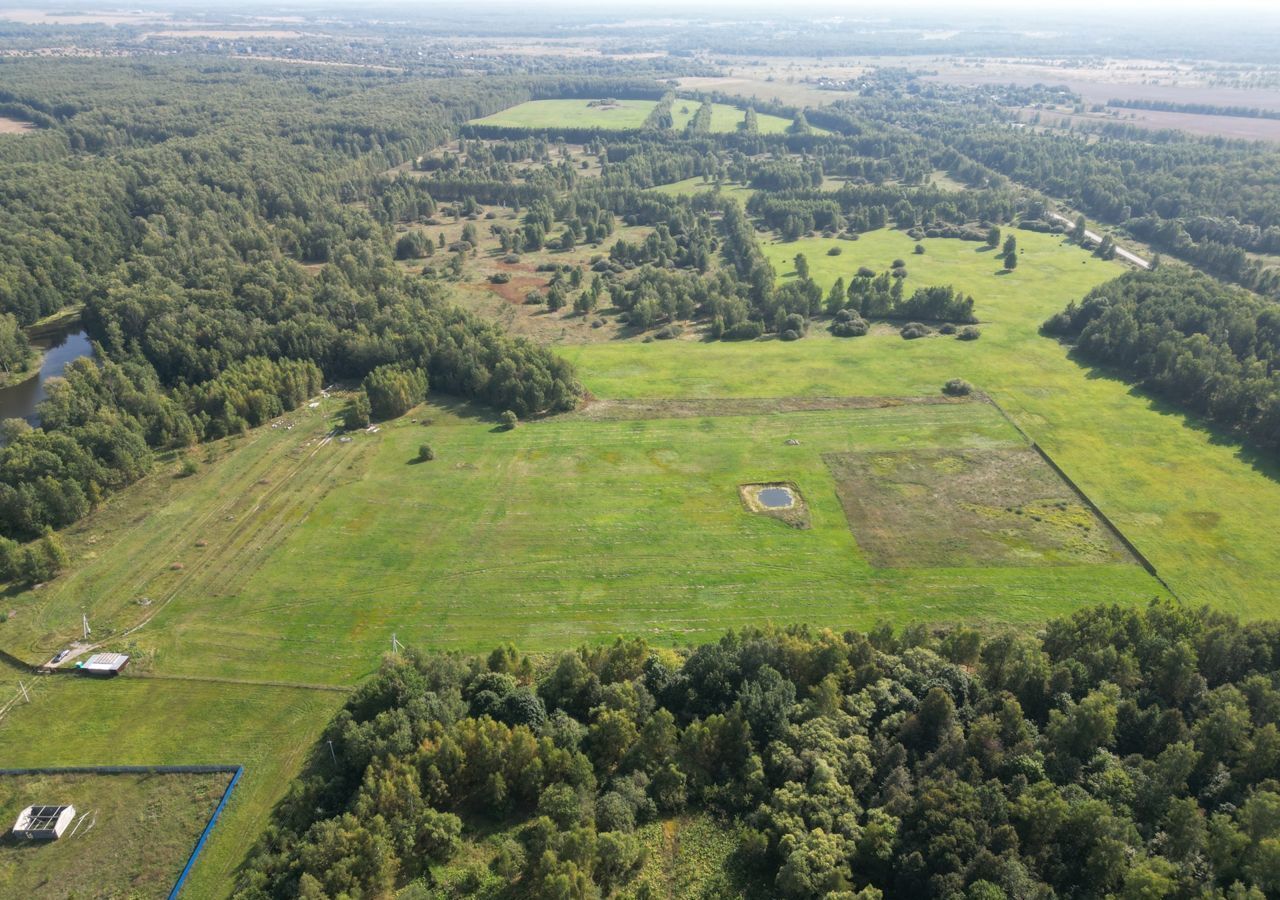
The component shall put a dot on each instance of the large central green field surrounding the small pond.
(564, 531)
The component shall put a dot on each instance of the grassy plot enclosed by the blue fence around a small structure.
(131, 837)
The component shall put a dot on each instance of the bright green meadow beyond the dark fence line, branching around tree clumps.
(1204, 511)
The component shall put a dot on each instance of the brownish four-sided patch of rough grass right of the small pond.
(993, 508)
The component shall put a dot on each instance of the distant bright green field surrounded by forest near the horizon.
(625, 116)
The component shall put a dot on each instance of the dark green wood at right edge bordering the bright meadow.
(1212, 349)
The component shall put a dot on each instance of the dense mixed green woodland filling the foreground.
(1121, 753)
